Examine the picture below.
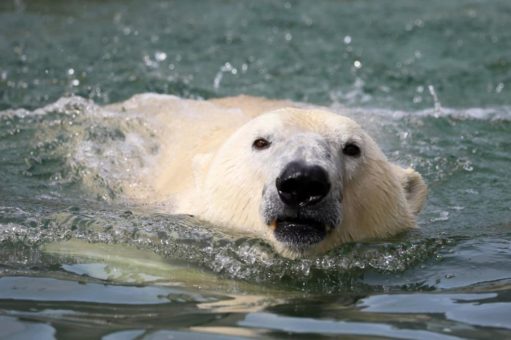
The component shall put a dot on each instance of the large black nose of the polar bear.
(300, 184)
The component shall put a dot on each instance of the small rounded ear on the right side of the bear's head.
(414, 186)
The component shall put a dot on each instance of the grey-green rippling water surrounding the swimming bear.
(430, 81)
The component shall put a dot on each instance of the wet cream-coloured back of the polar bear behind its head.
(188, 131)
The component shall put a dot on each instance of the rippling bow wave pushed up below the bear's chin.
(184, 240)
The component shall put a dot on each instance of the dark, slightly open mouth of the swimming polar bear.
(299, 232)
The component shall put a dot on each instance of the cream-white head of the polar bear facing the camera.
(307, 180)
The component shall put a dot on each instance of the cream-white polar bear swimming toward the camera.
(301, 177)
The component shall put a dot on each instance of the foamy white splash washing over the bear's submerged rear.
(75, 142)
